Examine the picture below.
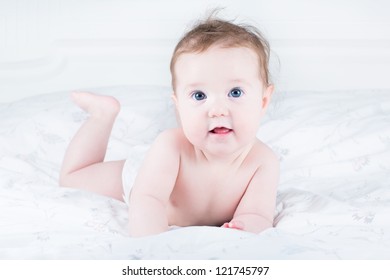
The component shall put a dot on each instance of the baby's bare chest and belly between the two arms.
(208, 194)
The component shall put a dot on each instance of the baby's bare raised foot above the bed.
(97, 105)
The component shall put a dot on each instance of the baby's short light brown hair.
(216, 32)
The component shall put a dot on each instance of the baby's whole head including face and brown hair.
(221, 85)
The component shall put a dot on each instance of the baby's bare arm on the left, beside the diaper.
(153, 187)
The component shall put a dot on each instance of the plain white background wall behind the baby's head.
(51, 45)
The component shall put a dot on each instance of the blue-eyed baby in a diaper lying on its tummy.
(211, 170)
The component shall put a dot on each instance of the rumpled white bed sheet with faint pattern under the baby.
(333, 200)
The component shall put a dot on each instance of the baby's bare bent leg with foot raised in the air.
(83, 166)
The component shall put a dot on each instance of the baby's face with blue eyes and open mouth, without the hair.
(220, 98)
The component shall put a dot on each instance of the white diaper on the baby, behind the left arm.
(130, 169)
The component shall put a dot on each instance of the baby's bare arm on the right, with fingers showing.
(255, 212)
